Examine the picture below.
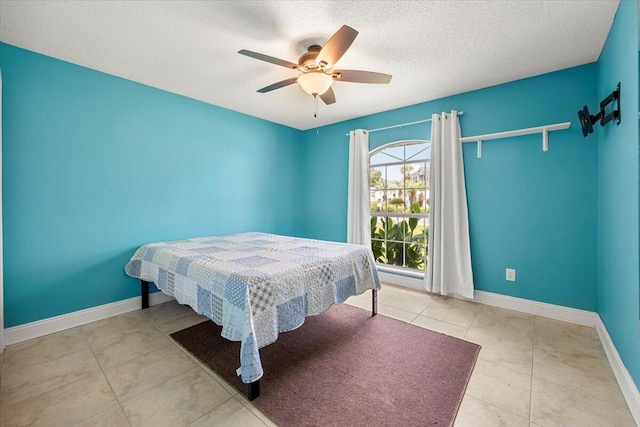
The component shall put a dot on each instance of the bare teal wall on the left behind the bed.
(95, 166)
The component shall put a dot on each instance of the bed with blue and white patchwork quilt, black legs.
(255, 285)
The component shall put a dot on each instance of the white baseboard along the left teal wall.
(51, 325)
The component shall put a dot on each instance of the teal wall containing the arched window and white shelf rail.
(529, 210)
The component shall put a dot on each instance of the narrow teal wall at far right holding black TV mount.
(618, 233)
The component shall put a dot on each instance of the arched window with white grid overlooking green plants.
(399, 189)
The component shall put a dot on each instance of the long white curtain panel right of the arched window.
(449, 265)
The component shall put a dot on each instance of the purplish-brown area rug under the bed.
(346, 368)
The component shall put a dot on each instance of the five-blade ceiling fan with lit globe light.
(317, 70)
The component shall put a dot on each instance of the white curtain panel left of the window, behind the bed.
(358, 209)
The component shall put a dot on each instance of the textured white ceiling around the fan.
(432, 48)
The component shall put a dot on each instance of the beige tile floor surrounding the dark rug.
(126, 371)
